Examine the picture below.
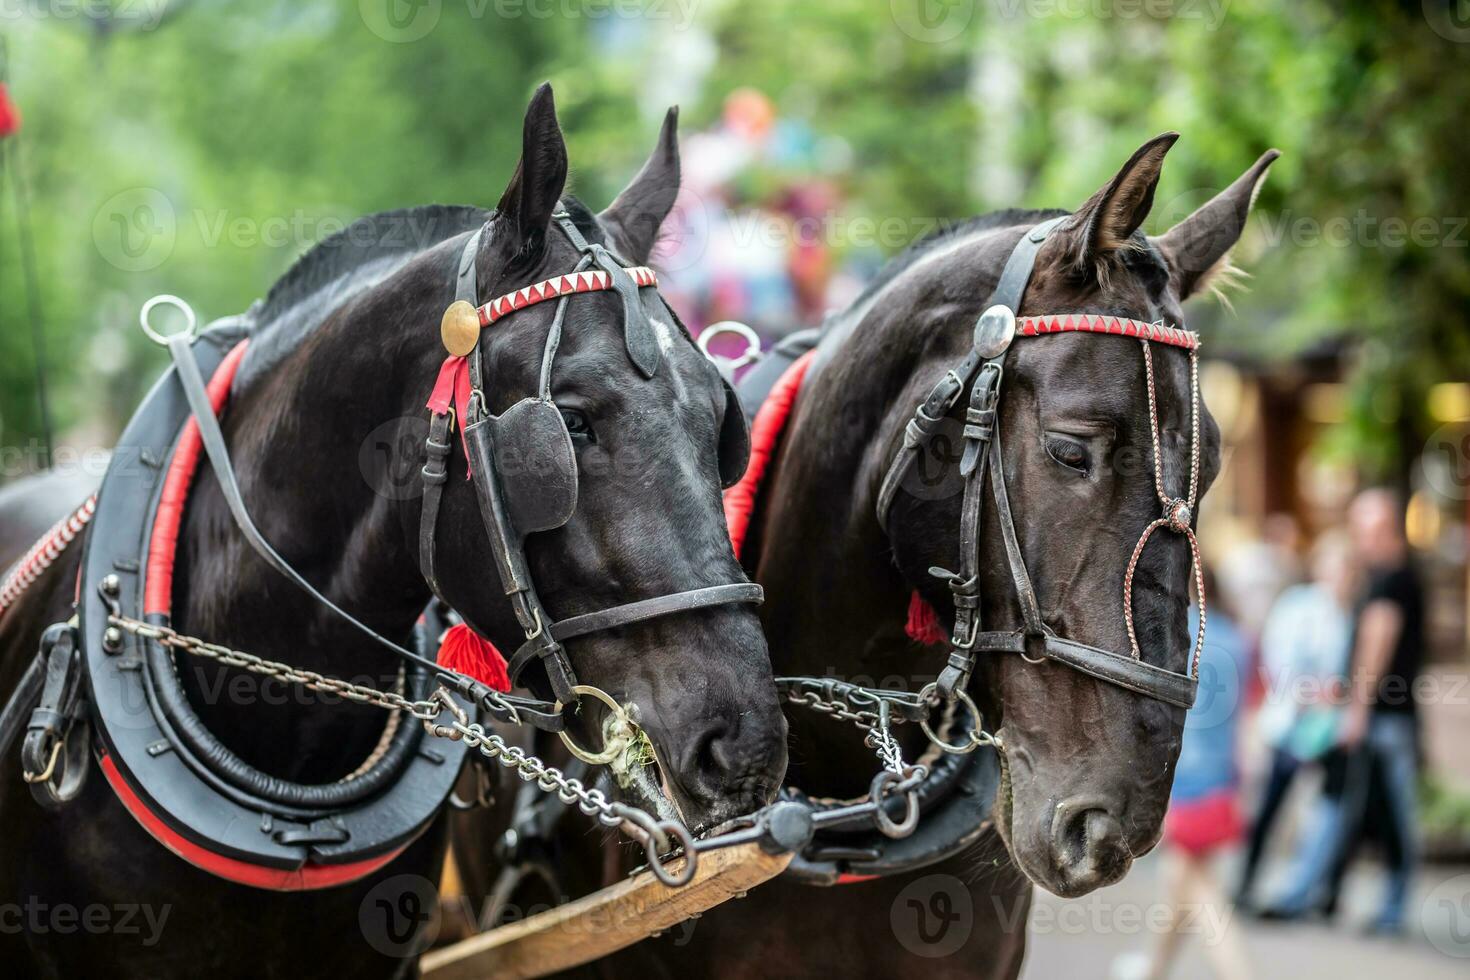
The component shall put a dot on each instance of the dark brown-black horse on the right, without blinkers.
(1086, 766)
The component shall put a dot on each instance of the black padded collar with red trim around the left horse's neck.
(183, 785)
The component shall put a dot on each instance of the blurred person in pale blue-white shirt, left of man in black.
(1305, 659)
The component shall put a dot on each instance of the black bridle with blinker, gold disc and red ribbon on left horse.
(531, 427)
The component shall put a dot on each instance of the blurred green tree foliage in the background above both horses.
(255, 130)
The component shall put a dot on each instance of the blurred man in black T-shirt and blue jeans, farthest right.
(1380, 724)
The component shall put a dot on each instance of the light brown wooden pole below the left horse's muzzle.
(605, 922)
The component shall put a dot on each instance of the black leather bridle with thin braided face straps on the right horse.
(983, 372)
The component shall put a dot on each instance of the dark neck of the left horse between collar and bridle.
(296, 436)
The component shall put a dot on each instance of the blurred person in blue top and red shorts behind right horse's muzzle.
(1205, 815)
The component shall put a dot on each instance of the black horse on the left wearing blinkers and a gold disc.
(342, 359)
